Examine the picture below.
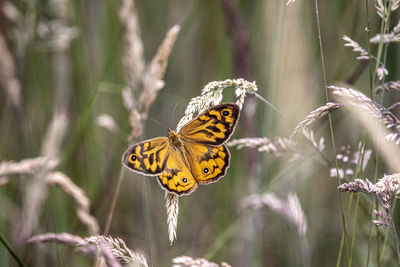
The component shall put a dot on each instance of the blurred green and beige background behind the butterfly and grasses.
(87, 78)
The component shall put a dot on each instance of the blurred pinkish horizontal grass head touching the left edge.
(29, 166)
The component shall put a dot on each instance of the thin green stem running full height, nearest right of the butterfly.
(344, 234)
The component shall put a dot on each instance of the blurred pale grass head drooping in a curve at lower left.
(81, 201)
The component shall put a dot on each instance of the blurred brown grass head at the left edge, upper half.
(8, 76)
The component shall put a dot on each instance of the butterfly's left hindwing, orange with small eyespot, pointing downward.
(176, 177)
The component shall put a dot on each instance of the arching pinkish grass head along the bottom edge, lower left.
(114, 250)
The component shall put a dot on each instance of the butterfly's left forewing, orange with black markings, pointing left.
(148, 157)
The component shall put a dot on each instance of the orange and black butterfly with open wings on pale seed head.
(193, 155)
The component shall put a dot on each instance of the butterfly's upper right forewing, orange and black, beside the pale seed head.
(212, 127)
